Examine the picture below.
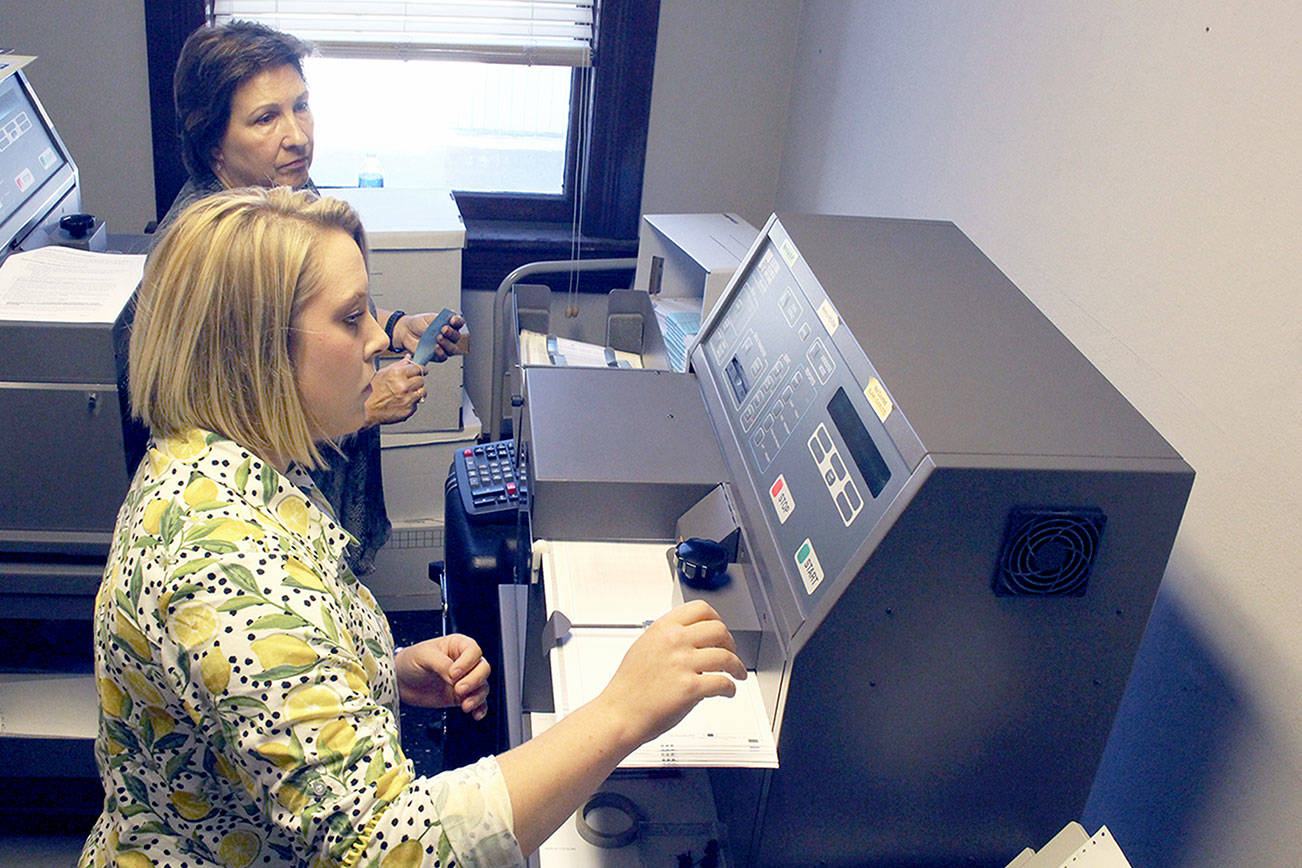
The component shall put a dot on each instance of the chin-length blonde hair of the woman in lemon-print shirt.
(212, 347)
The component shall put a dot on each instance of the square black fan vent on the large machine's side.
(1049, 552)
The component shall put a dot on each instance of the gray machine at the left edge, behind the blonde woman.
(62, 444)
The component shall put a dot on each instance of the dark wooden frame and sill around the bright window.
(619, 101)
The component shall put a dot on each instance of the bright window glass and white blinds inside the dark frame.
(439, 93)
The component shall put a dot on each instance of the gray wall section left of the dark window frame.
(93, 79)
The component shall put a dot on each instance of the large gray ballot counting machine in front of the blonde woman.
(947, 530)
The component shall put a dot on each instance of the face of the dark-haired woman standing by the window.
(269, 139)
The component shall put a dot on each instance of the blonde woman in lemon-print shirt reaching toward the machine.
(247, 680)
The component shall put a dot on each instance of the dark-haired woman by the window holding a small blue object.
(245, 120)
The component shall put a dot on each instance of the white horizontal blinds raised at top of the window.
(557, 33)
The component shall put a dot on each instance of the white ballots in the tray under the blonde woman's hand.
(606, 594)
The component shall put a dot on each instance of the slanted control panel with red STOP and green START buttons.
(799, 394)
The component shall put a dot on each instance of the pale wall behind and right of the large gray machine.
(1135, 170)
